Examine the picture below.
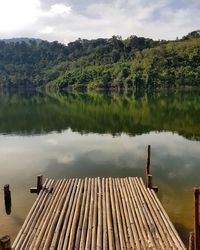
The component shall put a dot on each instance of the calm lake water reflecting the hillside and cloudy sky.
(95, 134)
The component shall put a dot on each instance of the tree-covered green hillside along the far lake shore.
(135, 62)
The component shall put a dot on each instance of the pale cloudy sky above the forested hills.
(68, 20)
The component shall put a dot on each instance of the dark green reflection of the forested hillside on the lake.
(102, 113)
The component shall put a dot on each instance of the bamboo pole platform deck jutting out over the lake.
(94, 213)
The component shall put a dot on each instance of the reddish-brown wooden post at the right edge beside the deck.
(196, 218)
